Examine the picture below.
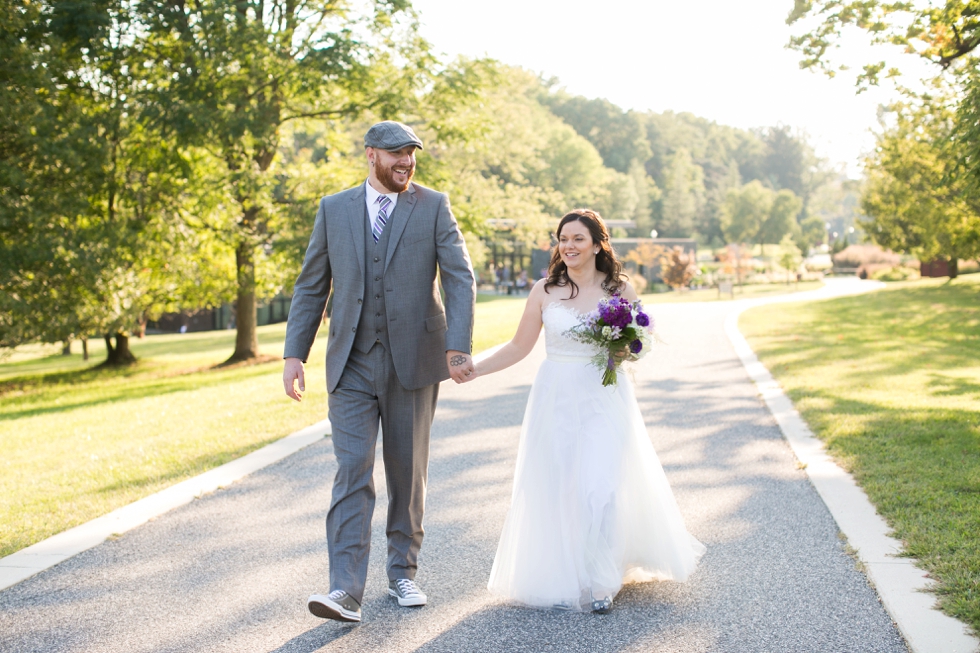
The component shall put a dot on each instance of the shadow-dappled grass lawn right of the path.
(891, 382)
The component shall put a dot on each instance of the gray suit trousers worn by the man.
(369, 393)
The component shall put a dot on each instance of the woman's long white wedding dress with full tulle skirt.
(591, 507)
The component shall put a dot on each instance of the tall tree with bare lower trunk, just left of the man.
(228, 75)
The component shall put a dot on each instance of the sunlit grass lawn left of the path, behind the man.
(79, 442)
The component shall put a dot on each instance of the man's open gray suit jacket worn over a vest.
(420, 329)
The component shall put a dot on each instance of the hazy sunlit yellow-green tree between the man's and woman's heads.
(502, 154)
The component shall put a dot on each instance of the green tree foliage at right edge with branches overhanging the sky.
(923, 180)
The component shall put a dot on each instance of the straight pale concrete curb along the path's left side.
(58, 548)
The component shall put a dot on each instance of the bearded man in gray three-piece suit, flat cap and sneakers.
(391, 342)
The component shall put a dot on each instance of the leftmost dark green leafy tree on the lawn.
(85, 222)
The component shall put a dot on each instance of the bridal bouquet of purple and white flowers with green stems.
(620, 330)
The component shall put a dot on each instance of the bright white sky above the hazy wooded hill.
(724, 60)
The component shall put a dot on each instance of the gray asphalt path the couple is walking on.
(232, 571)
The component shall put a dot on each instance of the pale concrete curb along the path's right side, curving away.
(902, 587)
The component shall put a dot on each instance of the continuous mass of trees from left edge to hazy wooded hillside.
(164, 156)
